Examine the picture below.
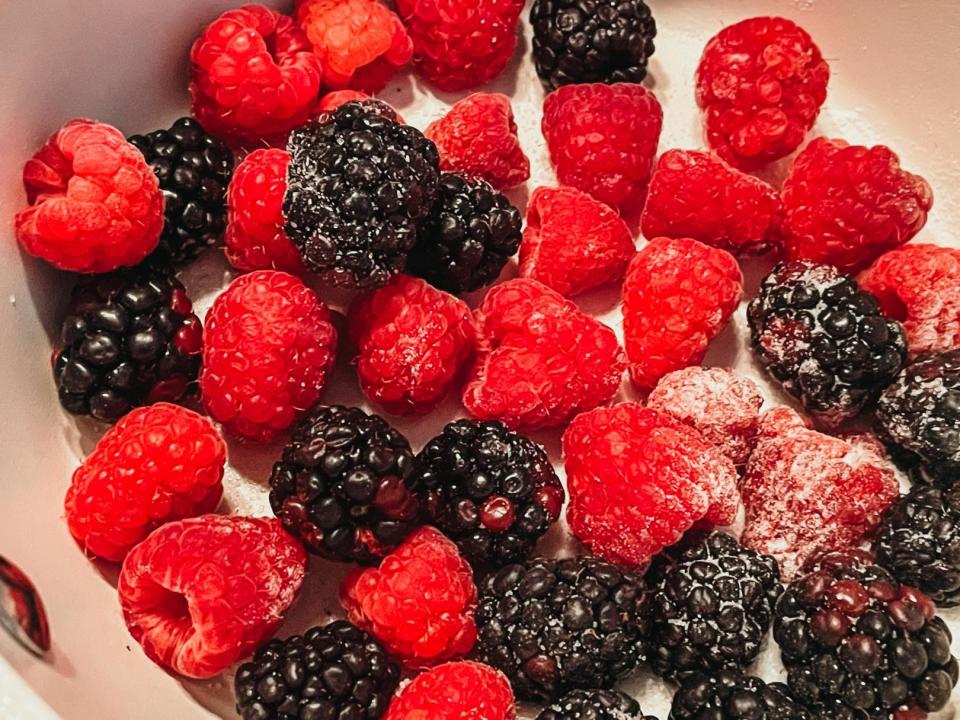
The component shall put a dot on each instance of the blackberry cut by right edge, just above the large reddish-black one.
(919, 542)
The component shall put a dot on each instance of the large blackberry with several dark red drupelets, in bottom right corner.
(857, 644)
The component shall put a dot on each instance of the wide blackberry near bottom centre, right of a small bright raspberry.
(556, 625)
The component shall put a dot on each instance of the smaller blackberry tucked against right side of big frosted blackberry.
(468, 237)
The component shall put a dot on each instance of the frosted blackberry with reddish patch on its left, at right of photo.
(825, 339)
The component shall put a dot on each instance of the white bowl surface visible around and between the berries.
(124, 62)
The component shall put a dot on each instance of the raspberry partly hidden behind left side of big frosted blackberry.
(255, 237)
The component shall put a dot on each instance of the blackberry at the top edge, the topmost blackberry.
(585, 41)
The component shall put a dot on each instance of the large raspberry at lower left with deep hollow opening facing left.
(202, 593)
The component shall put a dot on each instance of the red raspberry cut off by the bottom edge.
(455, 691)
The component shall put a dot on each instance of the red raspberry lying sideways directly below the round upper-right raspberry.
(697, 195)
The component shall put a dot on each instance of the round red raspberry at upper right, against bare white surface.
(760, 83)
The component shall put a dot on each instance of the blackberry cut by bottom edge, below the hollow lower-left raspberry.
(335, 671)
